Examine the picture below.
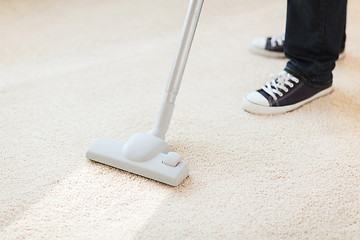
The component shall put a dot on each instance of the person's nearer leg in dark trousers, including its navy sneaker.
(314, 33)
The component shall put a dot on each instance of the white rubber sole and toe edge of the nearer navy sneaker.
(266, 110)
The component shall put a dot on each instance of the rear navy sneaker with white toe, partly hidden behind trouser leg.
(274, 47)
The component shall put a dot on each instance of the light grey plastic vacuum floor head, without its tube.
(143, 154)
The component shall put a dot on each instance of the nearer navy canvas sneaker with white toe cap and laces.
(282, 94)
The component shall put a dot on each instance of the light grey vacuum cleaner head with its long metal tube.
(147, 154)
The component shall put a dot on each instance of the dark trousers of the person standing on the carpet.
(315, 34)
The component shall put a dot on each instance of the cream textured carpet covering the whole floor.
(75, 70)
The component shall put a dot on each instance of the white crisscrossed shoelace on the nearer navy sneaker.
(280, 82)
